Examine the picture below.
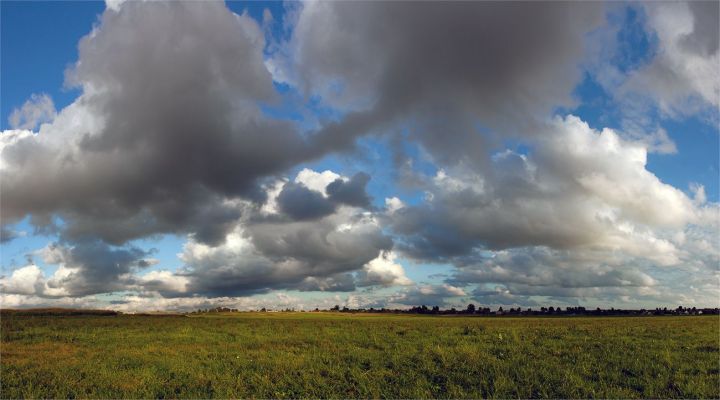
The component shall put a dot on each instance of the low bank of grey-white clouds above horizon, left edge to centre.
(264, 251)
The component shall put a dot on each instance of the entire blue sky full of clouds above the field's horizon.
(186, 155)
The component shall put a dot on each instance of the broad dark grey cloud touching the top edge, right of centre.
(445, 67)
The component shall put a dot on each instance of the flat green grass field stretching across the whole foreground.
(327, 355)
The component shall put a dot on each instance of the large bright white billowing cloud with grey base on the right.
(577, 188)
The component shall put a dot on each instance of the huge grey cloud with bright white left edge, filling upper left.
(158, 143)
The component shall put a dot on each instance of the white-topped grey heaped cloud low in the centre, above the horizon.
(309, 251)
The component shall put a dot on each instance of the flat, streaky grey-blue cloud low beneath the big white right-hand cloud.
(511, 277)
